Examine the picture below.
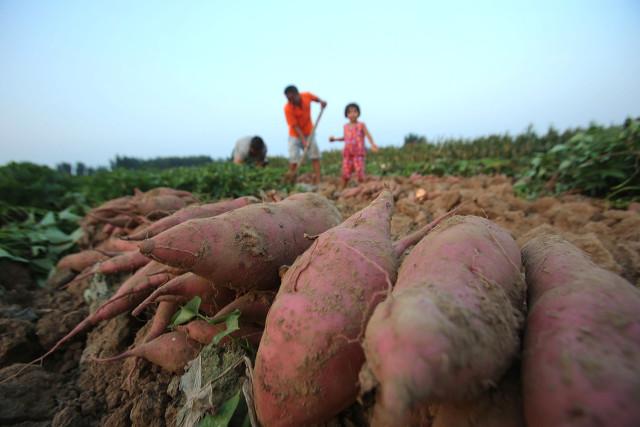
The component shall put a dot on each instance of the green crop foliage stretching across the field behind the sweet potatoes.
(597, 161)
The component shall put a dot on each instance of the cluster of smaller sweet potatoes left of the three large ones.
(227, 254)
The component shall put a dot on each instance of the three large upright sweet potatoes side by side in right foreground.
(444, 347)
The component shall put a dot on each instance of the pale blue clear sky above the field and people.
(89, 80)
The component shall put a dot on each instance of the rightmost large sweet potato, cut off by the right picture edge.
(582, 340)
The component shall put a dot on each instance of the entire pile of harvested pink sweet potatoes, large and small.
(464, 329)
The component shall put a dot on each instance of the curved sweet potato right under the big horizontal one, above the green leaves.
(185, 287)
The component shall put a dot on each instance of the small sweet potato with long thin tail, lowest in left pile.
(171, 351)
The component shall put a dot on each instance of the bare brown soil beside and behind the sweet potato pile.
(69, 389)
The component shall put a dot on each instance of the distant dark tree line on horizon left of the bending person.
(133, 163)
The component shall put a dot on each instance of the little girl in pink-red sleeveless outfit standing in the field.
(354, 152)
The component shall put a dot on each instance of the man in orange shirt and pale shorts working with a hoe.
(298, 114)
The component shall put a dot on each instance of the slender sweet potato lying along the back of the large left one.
(191, 212)
